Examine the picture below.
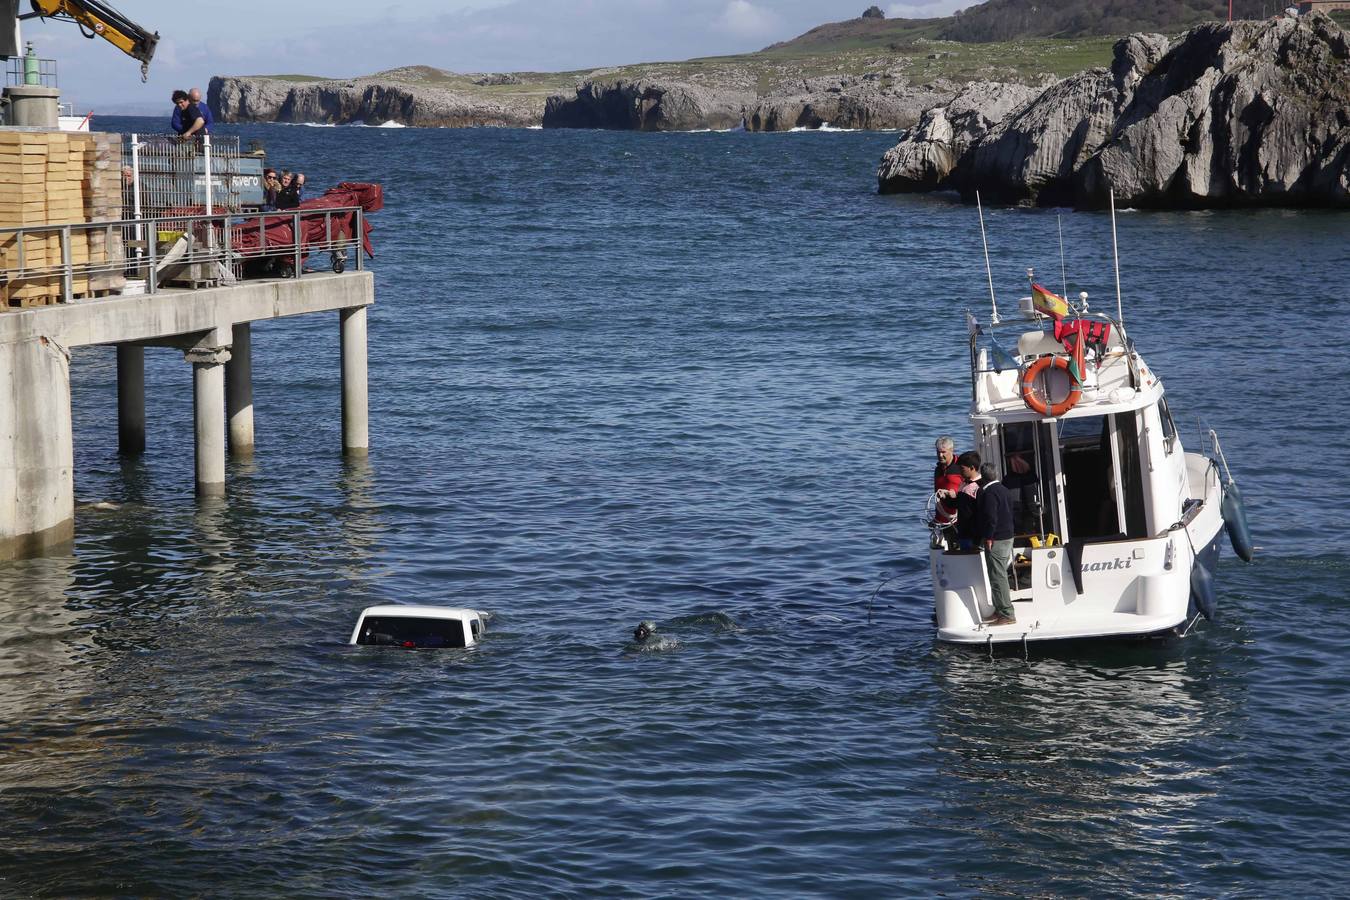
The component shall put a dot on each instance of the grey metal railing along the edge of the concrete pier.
(61, 264)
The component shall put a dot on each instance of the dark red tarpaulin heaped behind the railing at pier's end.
(275, 231)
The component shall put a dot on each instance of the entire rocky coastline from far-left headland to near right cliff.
(1241, 114)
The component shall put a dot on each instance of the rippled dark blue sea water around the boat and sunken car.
(693, 380)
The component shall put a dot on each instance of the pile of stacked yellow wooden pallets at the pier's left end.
(55, 179)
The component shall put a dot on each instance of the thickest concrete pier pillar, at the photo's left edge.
(37, 455)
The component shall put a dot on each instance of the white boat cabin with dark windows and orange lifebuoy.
(1108, 468)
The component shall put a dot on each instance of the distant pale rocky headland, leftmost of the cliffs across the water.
(367, 101)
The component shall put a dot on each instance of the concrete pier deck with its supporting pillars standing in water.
(37, 484)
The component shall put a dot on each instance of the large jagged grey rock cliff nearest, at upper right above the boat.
(1231, 115)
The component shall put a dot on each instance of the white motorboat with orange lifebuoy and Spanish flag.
(1117, 526)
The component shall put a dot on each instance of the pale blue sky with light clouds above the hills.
(342, 40)
